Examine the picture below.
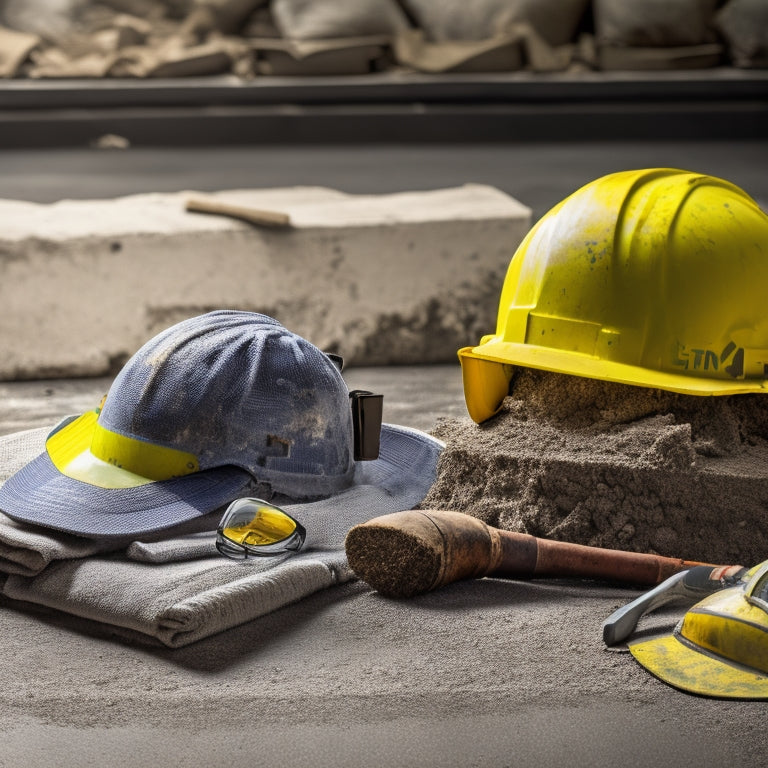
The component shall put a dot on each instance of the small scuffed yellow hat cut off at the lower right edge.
(720, 648)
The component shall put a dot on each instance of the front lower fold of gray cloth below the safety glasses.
(178, 603)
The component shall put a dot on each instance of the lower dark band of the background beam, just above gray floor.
(403, 123)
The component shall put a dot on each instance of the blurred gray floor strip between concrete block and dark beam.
(539, 175)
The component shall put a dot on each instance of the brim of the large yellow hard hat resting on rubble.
(485, 388)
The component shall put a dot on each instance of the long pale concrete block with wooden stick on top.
(390, 279)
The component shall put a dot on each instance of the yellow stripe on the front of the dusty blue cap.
(86, 451)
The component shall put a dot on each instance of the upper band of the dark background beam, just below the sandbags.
(721, 84)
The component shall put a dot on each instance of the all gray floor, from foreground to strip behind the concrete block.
(490, 673)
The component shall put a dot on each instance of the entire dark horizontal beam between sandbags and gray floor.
(721, 104)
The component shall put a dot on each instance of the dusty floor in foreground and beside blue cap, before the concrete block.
(487, 673)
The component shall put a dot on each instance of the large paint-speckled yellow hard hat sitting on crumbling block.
(656, 278)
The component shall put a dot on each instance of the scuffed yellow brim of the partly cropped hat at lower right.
(695, 670)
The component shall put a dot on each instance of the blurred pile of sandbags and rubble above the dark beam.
(251, 38)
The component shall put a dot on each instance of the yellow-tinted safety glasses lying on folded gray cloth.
(256, 528)
